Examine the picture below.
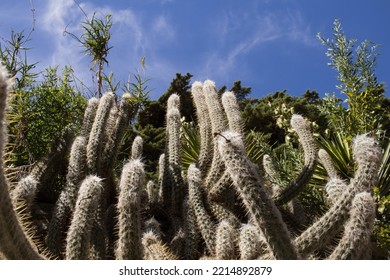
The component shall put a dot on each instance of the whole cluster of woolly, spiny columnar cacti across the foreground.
(220, 208)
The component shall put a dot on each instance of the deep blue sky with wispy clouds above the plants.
(268, 45)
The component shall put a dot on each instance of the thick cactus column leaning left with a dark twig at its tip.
(260, 206)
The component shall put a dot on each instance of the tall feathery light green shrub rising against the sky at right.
(358, 82)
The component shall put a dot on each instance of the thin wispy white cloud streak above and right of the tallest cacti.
(257, 30)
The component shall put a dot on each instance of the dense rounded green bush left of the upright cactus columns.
(38, 114)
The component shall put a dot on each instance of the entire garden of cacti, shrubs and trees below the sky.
(218, 176)
